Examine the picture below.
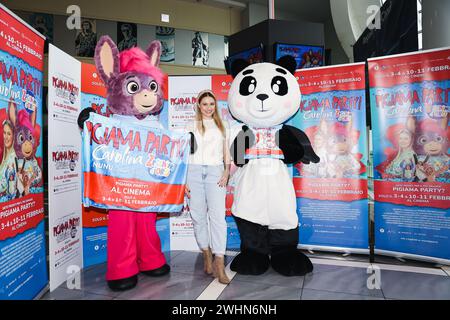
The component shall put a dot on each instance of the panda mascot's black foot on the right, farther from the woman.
(291, 262)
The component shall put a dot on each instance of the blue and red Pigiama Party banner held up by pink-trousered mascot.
(129, 166)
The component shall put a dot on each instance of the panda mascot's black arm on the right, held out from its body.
(296, 146)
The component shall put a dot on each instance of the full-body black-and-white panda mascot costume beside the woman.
(263, 96)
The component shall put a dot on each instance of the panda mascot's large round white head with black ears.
(264, 94)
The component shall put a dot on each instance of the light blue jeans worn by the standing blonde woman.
(207, 207)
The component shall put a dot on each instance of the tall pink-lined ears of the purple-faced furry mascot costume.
(107, 57)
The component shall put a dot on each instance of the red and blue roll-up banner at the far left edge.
(23, 267)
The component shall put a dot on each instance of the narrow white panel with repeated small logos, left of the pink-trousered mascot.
(64, 168)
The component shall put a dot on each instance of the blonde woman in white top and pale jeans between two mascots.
(208, 173)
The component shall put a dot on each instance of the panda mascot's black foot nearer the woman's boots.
(250, 263)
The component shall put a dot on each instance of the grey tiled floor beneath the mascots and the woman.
(334, 277)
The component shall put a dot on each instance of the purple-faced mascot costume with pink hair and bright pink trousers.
(133, 82)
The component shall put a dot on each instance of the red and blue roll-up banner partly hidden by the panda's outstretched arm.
(332, 194)
